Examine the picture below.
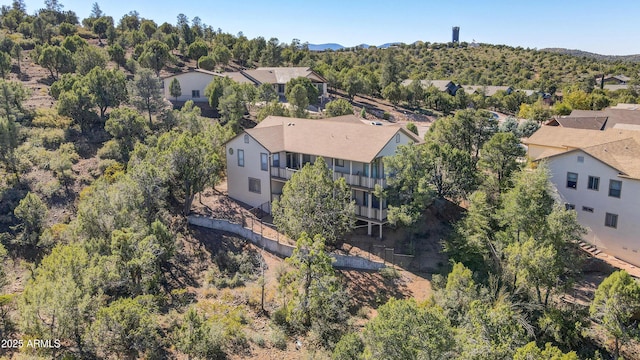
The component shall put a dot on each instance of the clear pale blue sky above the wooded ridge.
(609, 28)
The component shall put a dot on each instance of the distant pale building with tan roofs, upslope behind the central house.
(194, 82)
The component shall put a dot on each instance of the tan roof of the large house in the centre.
(344, 137)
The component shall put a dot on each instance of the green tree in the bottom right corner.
(616, 302)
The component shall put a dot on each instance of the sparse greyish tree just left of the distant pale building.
(146, 93)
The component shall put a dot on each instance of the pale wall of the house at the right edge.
(621, 242)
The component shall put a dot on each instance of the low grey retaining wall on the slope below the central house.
(278, 248)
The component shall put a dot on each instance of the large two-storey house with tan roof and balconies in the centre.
(262, 159)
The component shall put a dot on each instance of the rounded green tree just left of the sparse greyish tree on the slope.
(107, 88)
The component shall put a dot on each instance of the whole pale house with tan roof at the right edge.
(597, 173)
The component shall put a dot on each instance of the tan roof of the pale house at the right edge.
(620, 149)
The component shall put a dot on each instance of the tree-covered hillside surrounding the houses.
(98, 173)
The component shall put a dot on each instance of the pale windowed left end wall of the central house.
(238, 177)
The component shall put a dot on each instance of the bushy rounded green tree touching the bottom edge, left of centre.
(126, 328)
